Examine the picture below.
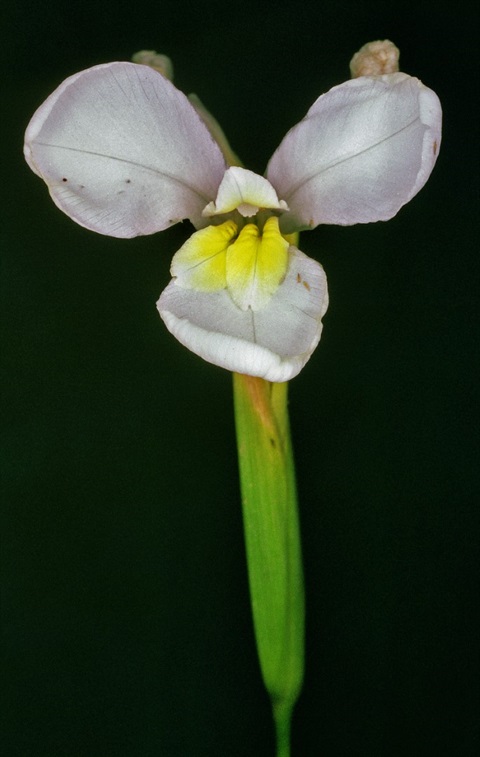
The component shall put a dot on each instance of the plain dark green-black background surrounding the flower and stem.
(125, 615)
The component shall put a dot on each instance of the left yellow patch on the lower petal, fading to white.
(201, 262)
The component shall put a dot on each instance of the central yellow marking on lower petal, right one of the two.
(256, 264)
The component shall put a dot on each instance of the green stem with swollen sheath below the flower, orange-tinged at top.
(272, 538)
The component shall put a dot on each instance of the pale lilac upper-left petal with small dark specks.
(123, 151)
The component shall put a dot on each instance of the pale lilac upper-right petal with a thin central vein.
(363, 150)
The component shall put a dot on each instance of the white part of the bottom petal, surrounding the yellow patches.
(273, 343)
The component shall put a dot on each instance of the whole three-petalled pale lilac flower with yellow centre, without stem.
(125, 153)
